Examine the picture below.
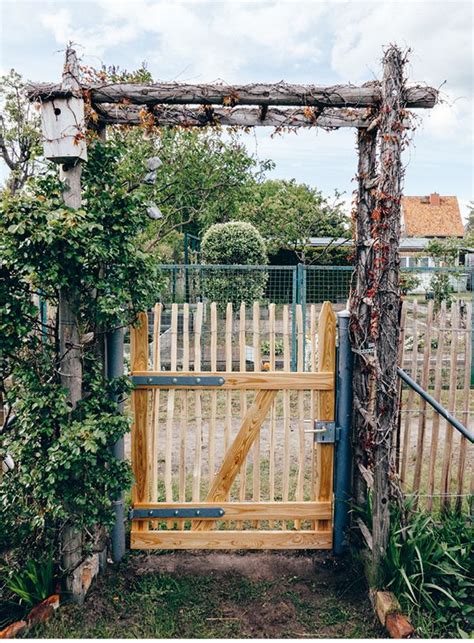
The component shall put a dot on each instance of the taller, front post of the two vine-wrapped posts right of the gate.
(387, 295)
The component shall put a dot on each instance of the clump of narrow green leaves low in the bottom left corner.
(33, 582)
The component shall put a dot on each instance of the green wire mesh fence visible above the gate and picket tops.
(297, 284)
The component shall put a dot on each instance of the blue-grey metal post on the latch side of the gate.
(343, 464)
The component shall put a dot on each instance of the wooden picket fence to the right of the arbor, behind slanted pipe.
(435, 462)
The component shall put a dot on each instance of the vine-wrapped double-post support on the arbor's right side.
(375, 302)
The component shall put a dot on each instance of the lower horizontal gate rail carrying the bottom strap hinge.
(253, 510)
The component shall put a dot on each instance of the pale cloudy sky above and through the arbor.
(324, 43)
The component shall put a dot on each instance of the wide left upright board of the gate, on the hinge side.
(140, 465)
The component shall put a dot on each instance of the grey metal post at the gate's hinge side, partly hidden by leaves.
(115, 369)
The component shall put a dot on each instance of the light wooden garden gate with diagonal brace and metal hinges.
(171, 506)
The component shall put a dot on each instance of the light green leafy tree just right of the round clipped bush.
(288, 214)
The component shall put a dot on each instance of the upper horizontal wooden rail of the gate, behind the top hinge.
(264, 380)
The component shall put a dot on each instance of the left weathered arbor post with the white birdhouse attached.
(63, 127)
